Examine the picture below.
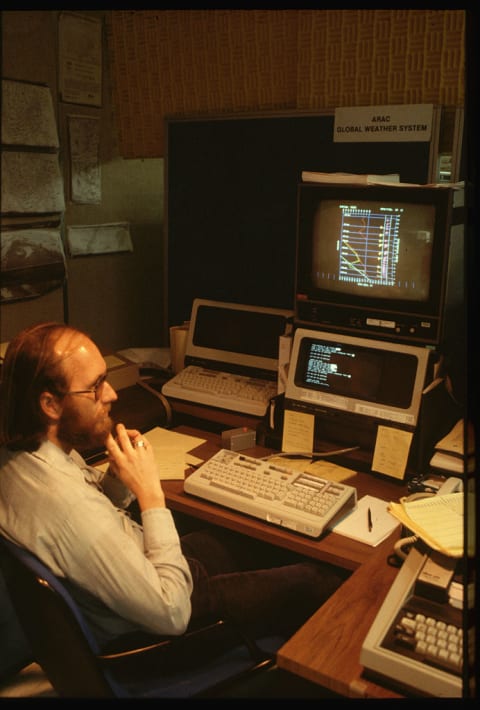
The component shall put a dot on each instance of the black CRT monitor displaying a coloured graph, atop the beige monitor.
(378, 260)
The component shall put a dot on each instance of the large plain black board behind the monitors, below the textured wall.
(231, 187)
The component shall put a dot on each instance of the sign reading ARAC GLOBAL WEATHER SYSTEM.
(377, 124)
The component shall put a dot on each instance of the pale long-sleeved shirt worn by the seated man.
(126, 577)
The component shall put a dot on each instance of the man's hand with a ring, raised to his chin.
(133, 462)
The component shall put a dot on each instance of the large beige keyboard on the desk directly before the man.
(275, 493)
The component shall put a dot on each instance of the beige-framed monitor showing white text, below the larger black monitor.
(360, 376)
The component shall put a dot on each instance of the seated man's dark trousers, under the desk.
(262, 588)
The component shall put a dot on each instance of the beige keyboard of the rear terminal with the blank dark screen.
(238, 393)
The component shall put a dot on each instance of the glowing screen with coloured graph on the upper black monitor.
(382, 249)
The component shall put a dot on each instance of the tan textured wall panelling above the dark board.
(177, 62)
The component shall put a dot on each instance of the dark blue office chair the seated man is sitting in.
(200, 663)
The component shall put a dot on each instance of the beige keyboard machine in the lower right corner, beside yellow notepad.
(415, 641)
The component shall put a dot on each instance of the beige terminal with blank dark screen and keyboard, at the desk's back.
(231, 356)
